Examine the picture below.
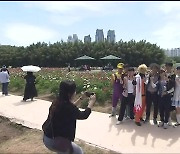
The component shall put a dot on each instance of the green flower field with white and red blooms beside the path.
(48, 79)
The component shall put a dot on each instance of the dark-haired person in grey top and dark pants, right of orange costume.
(151, 93)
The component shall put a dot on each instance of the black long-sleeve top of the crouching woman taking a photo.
(63, 122)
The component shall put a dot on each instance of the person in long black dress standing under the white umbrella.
(30, 90)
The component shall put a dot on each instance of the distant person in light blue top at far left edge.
(4, 79)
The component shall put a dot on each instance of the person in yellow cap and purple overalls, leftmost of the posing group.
(117, 82)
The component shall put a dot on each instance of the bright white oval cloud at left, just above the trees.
(24, 34)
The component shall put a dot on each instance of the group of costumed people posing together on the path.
(139, 89)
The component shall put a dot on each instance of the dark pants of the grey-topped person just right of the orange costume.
(151, 98)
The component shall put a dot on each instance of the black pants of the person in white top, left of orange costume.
(127, 101)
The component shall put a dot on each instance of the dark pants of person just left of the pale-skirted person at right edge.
(165, 107)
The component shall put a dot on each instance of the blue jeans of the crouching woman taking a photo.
(52, 144)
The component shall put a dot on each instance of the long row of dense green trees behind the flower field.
(61, 53)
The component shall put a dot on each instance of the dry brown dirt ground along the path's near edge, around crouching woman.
(16, 138)
